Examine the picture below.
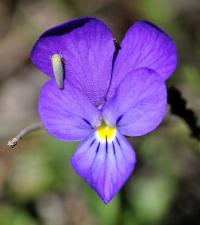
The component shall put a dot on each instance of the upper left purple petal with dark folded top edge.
(86, 48)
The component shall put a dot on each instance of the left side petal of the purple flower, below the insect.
(67, 114)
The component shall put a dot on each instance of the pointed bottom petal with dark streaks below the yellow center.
(105, 166)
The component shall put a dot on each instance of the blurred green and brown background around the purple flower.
(37, 184)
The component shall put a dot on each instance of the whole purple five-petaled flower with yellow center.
(106, 96)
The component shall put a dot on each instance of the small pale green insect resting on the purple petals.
(58, 71)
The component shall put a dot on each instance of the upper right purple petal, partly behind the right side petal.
(145, 45)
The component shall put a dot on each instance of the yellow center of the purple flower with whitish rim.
(105, 132)
